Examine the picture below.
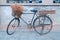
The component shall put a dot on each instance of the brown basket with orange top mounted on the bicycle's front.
(17, 10)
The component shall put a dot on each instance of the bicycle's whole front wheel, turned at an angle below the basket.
(14, 23)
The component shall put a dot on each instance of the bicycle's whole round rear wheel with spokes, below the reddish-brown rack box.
(42, 25)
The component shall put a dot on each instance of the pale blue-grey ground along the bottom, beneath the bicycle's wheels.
(29, 35)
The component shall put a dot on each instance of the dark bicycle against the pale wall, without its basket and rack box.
(38, 23)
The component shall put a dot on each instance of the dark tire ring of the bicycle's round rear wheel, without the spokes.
(42, 28)
